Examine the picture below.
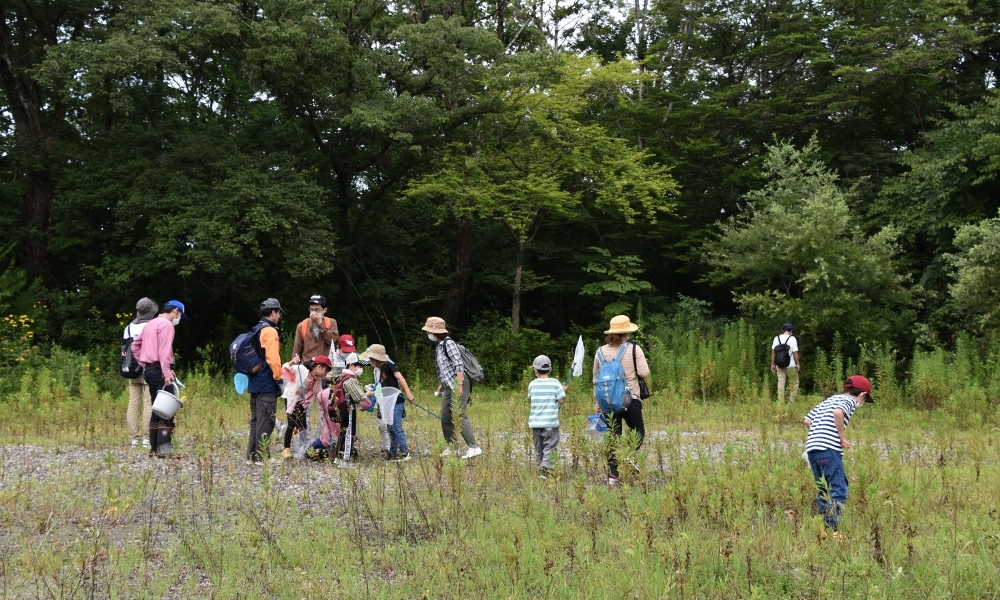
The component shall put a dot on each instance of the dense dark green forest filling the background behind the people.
(522, 168)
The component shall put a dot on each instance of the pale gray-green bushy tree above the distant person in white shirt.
(797, 253)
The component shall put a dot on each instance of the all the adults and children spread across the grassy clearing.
(326, 369)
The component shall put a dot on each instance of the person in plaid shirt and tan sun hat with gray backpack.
(452, 382)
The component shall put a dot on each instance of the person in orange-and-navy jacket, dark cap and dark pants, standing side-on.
(265, 384)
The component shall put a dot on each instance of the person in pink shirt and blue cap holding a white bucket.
(154, 349)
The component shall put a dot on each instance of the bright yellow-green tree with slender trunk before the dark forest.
(540, 159)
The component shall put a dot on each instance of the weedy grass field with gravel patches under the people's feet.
(721, 507)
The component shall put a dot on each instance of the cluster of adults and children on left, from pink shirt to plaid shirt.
(325, 369)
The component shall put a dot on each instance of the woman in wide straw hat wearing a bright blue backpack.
(634, 366)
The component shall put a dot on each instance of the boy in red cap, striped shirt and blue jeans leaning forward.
(826, 442)
